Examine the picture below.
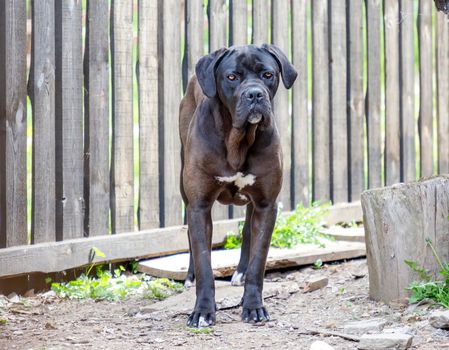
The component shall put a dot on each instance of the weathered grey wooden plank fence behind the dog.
(370, 107)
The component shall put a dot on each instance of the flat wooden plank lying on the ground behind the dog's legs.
(224, 262)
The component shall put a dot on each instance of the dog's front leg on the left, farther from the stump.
(200, 229)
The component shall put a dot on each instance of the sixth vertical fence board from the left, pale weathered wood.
(148, 213)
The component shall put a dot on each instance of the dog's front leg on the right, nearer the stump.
(263, 220)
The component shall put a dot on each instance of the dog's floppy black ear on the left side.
(205, 71)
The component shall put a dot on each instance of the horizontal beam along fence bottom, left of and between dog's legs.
(59, 256)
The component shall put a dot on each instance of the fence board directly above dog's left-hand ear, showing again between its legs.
(217, 15)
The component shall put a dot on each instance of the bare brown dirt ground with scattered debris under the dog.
(297, 319)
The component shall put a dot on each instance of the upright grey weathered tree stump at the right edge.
(398, 220)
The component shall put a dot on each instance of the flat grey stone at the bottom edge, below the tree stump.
(385, 341)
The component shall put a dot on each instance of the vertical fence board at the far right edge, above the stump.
(442, 73)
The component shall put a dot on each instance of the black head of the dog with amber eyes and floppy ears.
(245, 79)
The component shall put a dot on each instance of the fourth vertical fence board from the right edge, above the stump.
(392, 99)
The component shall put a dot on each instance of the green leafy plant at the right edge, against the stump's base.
(428, 287)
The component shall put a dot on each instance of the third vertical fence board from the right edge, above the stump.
(407, 66)
